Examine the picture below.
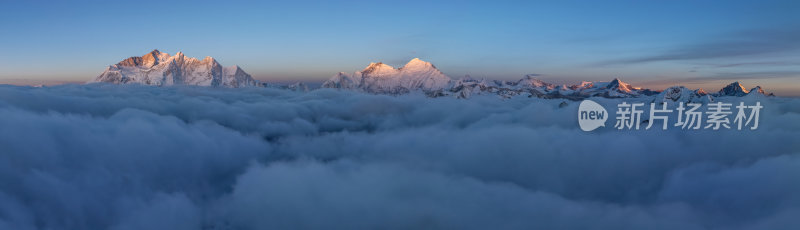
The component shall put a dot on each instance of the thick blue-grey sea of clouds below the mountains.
(139, 157)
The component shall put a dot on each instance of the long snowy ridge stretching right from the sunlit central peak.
(380, 78)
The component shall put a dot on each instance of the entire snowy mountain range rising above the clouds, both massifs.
(161, 69)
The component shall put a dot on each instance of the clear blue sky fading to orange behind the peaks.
(700, 44)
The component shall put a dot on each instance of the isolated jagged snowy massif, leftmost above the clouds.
(161, 69)
